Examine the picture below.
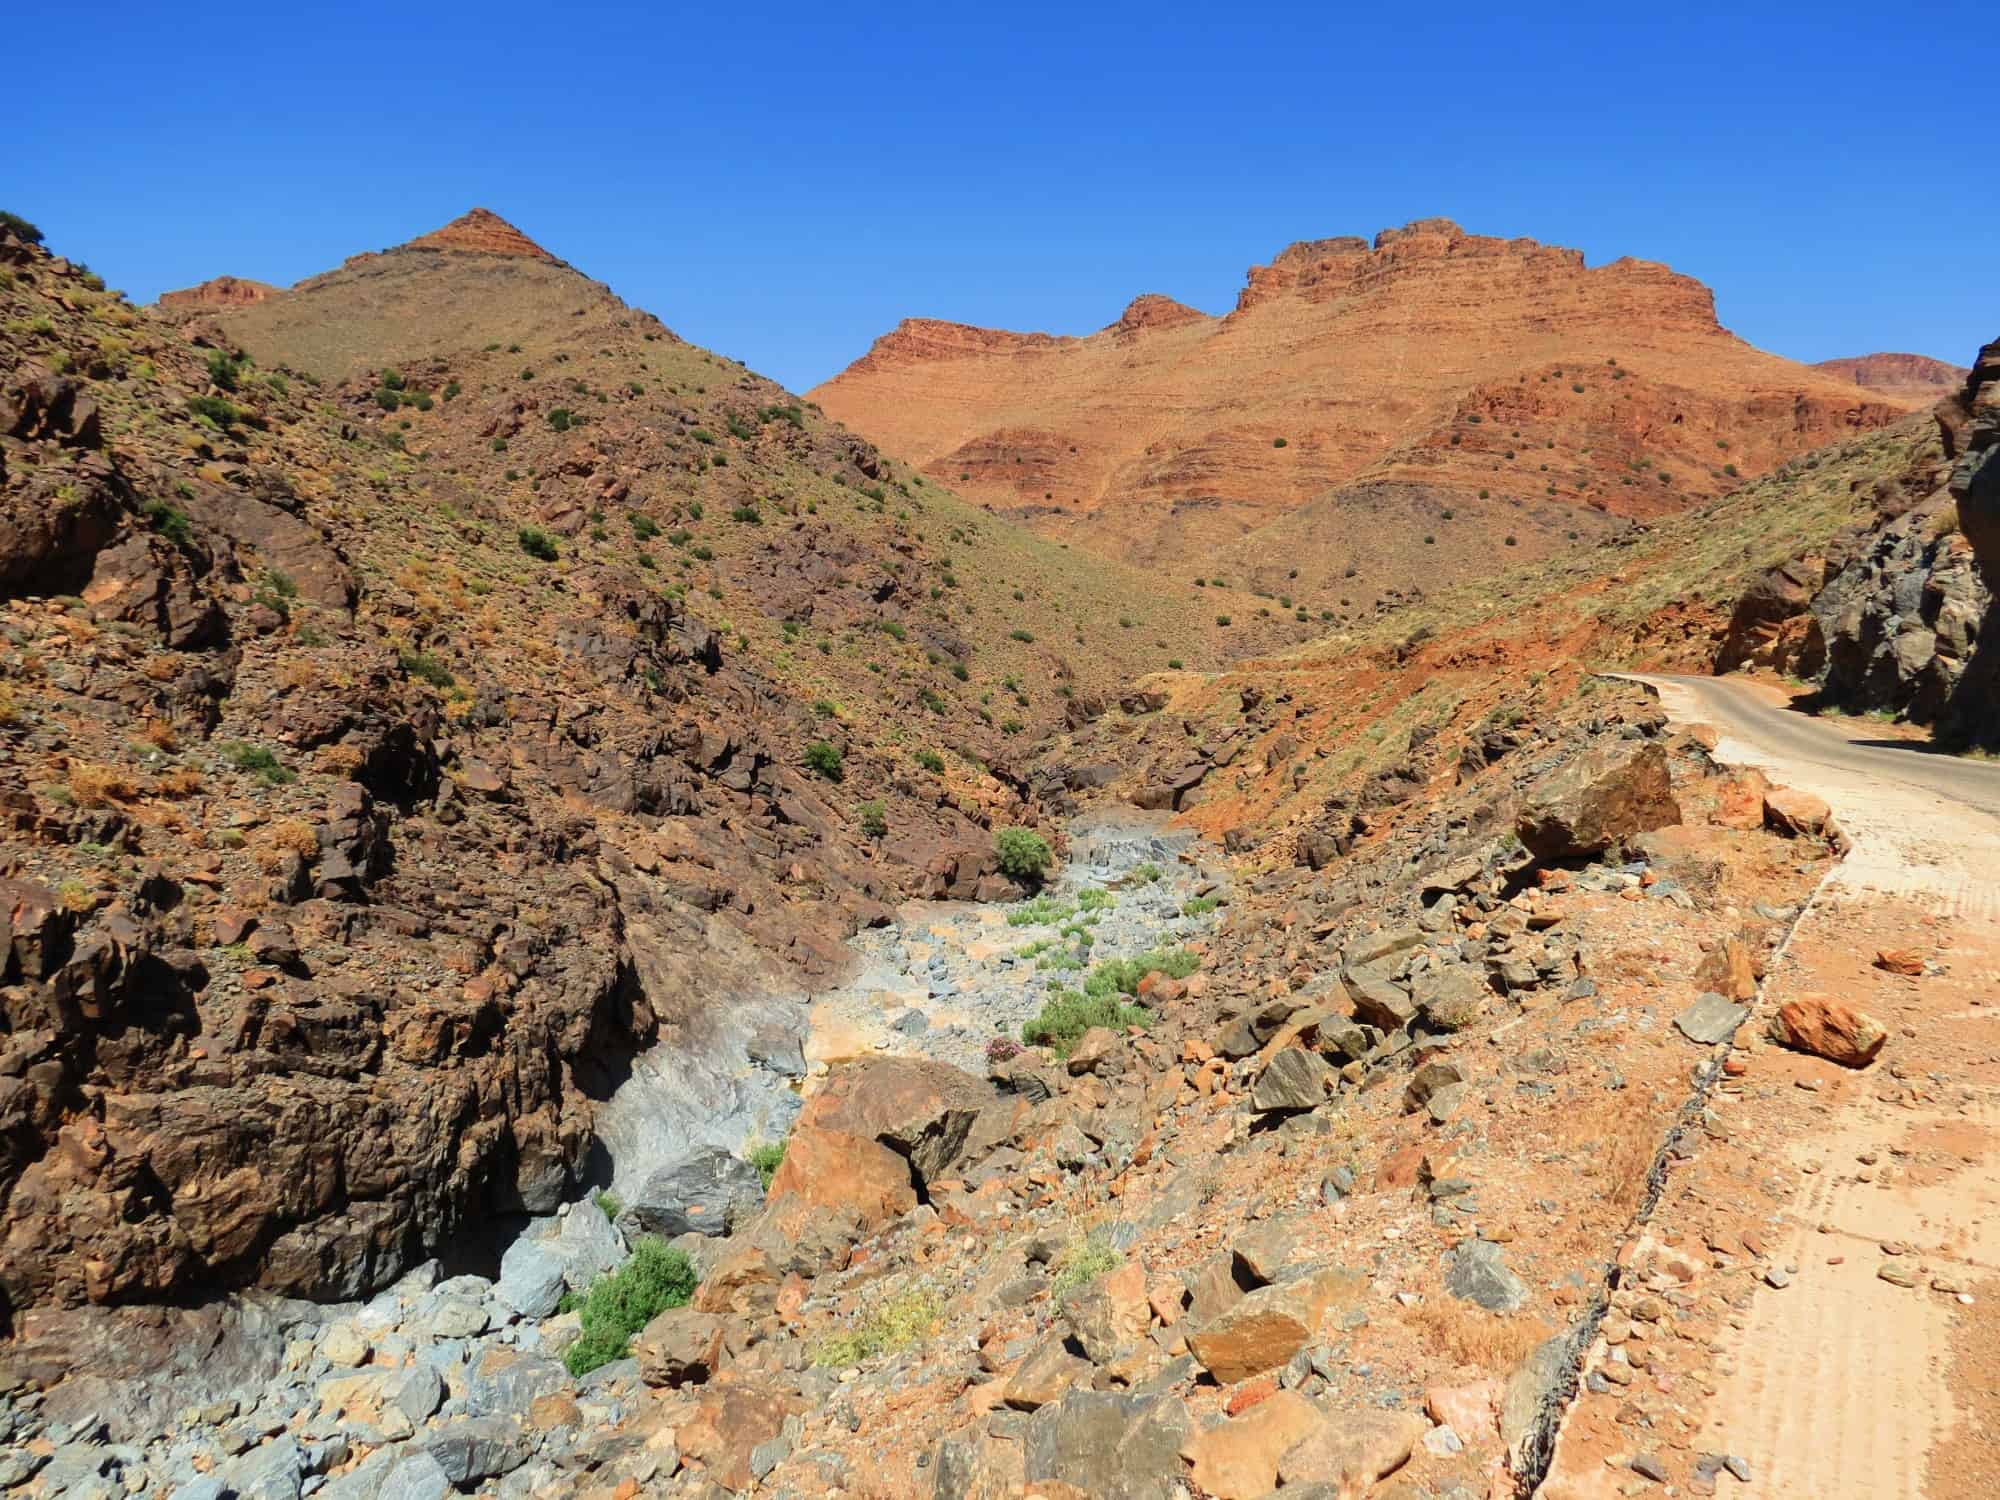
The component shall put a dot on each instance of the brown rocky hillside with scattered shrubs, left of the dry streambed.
(391, 761)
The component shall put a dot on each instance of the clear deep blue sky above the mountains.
(783, 183)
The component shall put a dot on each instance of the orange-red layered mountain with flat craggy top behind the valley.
(1431, 383)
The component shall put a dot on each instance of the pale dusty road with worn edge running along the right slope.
(1837, 1383)
